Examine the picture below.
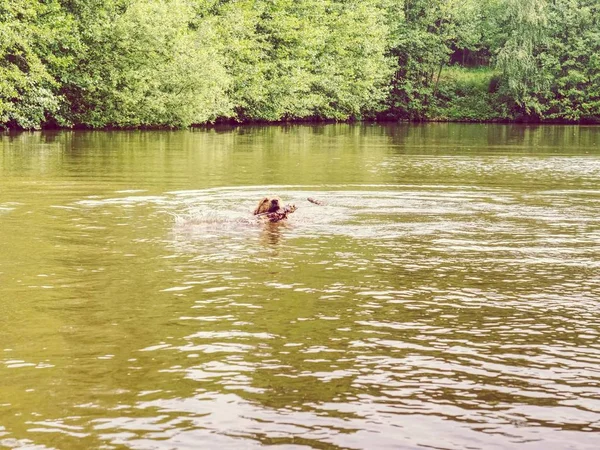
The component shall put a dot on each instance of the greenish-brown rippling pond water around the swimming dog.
(447, 295)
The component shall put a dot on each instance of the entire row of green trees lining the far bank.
(174, 63)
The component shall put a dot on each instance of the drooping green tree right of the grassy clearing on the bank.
(550, 59)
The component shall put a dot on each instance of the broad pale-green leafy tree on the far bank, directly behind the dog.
(305, 58)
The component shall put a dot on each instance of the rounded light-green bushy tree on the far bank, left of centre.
(147, 63)
